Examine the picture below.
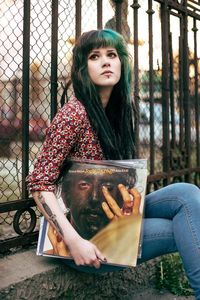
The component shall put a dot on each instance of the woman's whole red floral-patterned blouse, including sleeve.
(69, 135)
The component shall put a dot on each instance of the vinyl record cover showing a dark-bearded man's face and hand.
(104, 201)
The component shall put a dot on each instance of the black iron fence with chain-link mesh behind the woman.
(36, 41)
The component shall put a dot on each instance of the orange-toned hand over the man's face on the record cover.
(131, 203)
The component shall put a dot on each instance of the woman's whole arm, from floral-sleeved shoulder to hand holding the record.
(61, 137)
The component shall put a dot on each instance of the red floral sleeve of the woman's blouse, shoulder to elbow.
(61, 137)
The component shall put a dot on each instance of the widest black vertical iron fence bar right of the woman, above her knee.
(165, 86)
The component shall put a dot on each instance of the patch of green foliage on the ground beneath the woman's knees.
(171, 275)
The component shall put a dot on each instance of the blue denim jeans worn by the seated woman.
(171, 224)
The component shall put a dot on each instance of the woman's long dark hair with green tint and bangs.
(114, 125)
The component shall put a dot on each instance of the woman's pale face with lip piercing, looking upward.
(104, 67)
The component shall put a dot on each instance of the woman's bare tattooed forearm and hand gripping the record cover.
(82, 251)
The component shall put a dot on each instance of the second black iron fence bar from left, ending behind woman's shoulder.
(54, 59)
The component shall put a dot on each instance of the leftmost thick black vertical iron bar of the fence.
(25, 96)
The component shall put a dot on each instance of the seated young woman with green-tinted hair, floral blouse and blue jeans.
(97, 124)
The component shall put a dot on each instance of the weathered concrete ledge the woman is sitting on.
(27, 276)
